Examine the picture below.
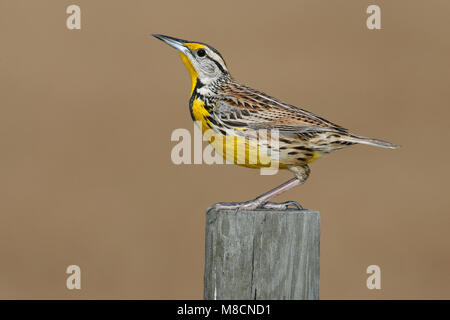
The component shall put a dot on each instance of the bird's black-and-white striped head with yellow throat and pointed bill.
(204, 63)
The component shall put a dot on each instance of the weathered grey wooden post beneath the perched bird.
(262, 254)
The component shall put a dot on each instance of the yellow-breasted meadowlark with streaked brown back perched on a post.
(220, 104)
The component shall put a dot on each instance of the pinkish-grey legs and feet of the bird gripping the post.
(262, 201)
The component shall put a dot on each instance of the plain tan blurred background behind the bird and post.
(86, 117)
